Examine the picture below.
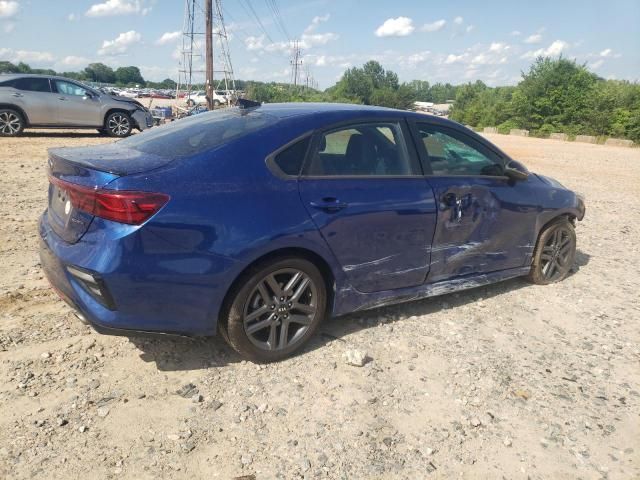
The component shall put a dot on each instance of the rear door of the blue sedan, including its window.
(364, 189)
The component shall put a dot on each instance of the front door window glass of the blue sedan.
(453, 153)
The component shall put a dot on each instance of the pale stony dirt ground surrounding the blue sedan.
(506, 381)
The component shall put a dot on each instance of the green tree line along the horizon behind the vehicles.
(555, 95)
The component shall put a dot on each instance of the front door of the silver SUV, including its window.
(77, 105)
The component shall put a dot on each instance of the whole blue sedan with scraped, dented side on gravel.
(259, 222)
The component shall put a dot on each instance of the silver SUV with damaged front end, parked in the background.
(41, 101)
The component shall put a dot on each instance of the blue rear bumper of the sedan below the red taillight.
(138, 294)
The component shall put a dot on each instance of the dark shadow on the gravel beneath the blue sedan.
(183, 353)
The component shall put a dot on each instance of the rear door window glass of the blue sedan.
(371, 149)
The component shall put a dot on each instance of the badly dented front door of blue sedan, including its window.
(486, 221)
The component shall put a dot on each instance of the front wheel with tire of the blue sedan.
(554, 254)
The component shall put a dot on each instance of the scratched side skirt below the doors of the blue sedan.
(349, 299)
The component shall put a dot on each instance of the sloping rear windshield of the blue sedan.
(199, 133)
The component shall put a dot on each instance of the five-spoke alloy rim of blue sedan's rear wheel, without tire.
(280, 309)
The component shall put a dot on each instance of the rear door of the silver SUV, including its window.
(35, 97)
